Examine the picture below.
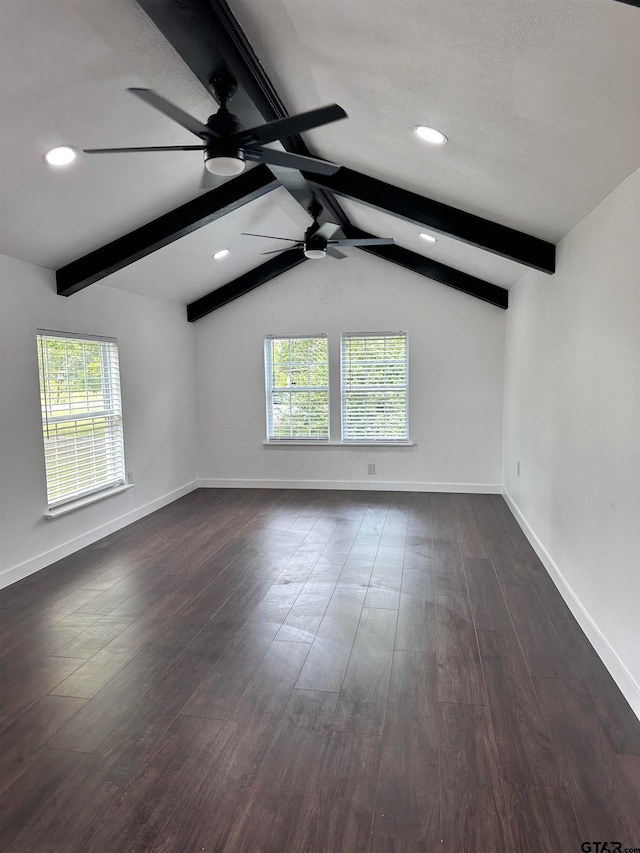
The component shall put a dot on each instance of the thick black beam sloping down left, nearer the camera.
(164, 230)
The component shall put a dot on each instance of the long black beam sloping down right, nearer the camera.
(427, 213)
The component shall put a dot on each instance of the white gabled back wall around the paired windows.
(456, 380)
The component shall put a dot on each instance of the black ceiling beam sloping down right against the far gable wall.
(434, 270)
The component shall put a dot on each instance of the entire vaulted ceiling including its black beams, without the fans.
(538, 99)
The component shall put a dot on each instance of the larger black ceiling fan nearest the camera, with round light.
(226, 144)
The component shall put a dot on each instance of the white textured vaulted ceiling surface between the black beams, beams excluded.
(538, 97)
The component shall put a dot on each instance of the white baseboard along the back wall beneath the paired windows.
(354, 485)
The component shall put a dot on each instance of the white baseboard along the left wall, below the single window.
(29, 567)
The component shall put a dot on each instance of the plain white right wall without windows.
(572, 420)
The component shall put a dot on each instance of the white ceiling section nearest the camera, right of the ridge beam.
(539, 98)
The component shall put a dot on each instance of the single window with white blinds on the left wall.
(81, 415)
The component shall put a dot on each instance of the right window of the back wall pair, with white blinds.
(375, 377)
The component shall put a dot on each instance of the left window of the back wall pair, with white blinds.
(297, 380)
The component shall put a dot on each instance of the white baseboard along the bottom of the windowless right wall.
(620, 674)
